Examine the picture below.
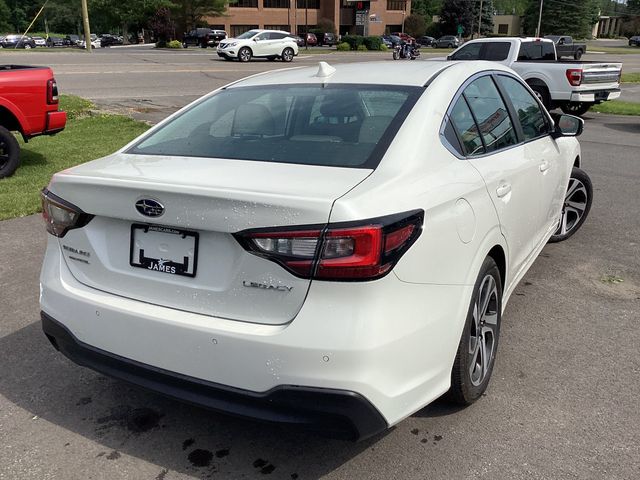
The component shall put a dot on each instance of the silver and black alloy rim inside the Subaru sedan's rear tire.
(484, 325)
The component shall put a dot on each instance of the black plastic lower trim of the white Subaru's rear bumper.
(341, 413)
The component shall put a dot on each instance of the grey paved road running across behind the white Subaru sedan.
(150, 84)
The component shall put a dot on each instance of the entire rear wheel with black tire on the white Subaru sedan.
(465, 389)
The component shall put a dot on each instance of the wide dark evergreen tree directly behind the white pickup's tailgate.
(571, 17)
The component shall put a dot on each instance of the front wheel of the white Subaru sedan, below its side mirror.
(577, 205)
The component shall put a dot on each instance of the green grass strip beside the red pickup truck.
(86, 137)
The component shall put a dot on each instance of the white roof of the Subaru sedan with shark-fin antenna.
(372, 73)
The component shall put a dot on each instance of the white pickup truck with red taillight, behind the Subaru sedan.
(572, 85)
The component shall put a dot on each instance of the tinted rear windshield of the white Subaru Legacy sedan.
(334, 125)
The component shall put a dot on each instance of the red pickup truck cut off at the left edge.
(29, 105)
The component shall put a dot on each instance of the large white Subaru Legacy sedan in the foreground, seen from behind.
(332, 247)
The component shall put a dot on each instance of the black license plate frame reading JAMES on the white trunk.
(138, 259)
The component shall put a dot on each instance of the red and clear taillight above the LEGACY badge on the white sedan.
(363, 250)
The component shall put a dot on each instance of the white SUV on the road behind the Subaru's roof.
(270, 44)
